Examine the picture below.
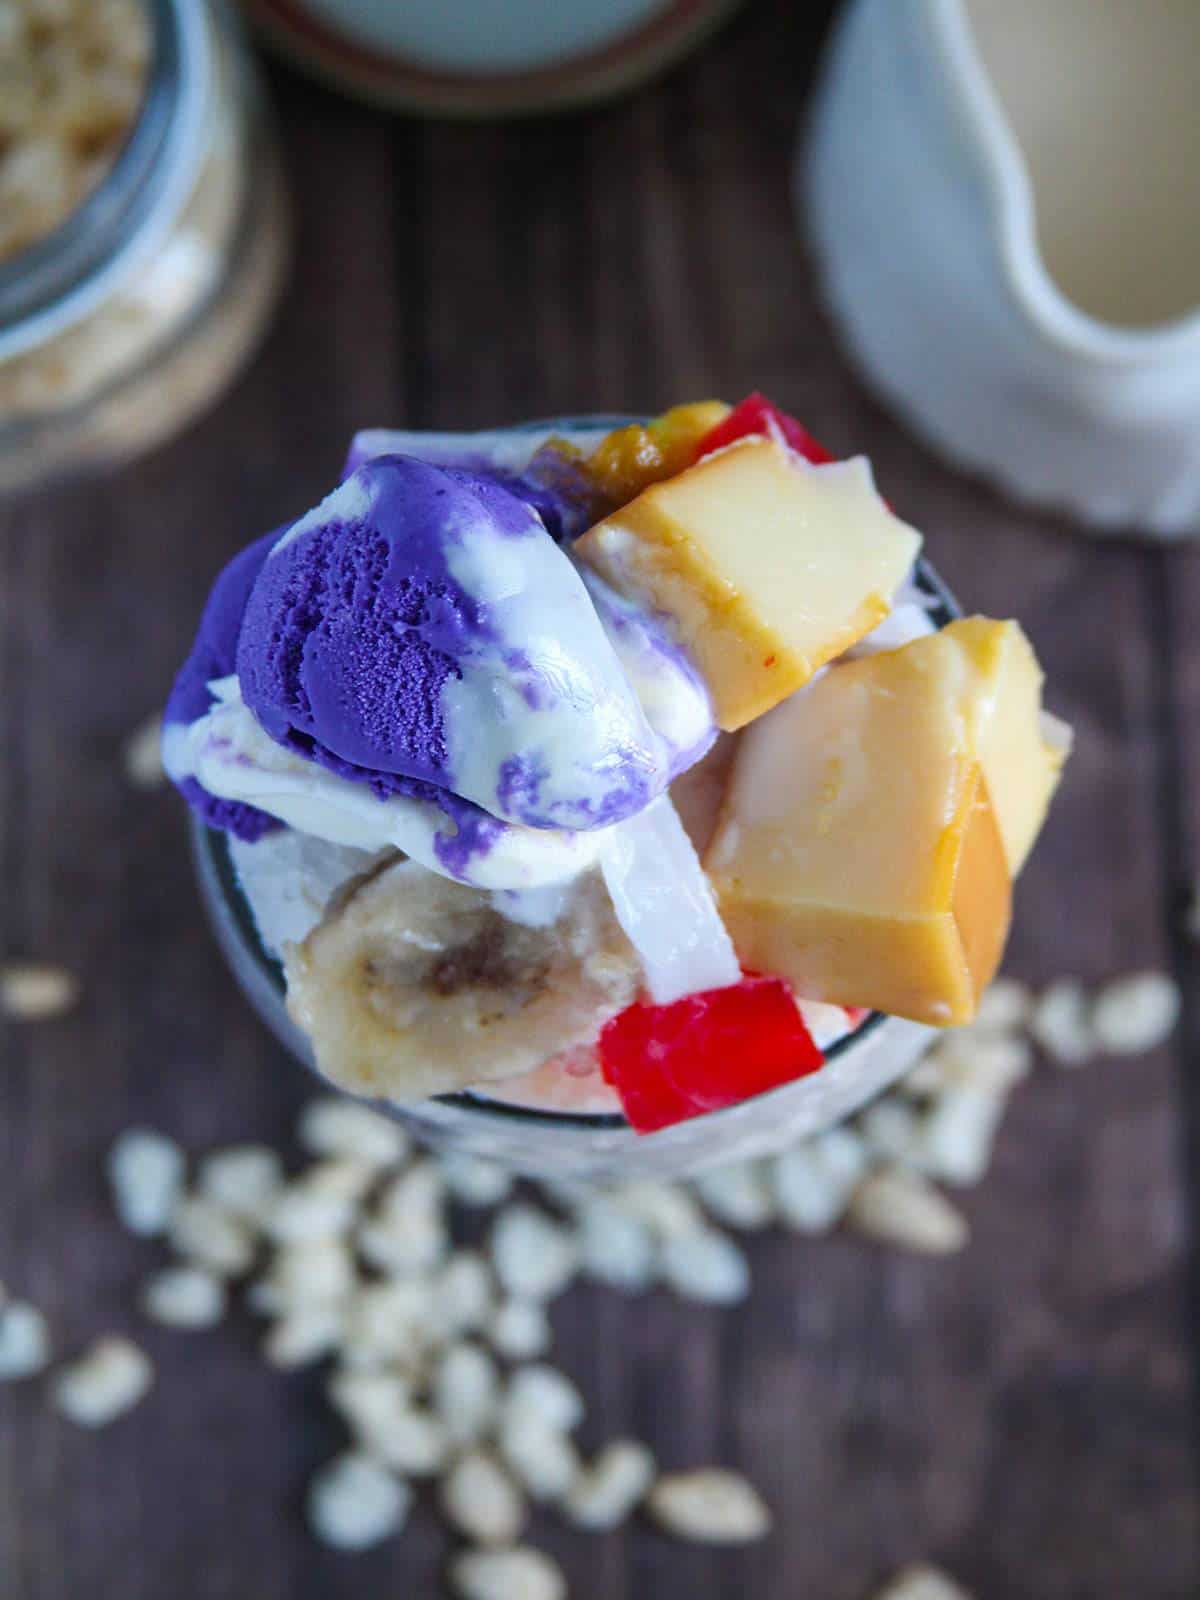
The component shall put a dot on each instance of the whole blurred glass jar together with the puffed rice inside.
(142, 225)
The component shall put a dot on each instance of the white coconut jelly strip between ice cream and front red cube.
(666, 905)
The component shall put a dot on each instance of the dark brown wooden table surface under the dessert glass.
(1025, 1412)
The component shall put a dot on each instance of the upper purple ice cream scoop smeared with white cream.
(420, 628)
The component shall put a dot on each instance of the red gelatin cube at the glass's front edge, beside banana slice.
(710, 1050)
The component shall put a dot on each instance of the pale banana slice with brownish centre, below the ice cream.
(414, 985)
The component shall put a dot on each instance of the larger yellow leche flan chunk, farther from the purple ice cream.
(871, 825)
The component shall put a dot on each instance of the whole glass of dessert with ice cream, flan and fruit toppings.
(543, 975)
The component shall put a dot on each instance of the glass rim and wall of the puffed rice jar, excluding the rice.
(130, 318)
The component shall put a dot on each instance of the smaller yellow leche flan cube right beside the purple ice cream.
(767, 566)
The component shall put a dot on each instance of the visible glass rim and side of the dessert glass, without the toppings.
(593, 1146)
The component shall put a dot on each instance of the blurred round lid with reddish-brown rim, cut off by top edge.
(457, 58)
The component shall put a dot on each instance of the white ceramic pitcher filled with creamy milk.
(1006, 206)
